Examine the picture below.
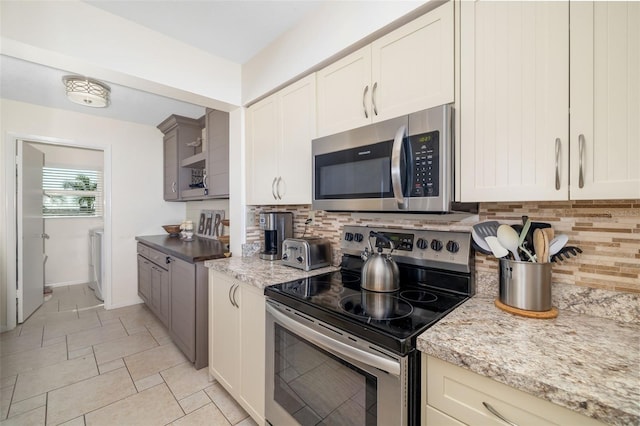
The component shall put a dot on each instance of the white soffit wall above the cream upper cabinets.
(329, 30)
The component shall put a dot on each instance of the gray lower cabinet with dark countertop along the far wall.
(176, 291)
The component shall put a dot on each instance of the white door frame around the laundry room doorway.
(11, 215)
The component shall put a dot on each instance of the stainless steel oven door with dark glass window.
(317, 373)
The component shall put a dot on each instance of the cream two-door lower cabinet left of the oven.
(237, 341)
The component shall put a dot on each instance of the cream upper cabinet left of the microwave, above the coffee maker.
(279, 133)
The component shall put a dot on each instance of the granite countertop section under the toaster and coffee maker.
(262, 273)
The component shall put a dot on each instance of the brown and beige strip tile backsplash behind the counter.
(608, 232)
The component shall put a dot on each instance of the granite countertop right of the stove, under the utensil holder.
(585, 363)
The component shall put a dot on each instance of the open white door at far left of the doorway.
(31, 257)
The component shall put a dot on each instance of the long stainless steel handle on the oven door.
(327, 343)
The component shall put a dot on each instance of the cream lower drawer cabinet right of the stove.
(452, 395)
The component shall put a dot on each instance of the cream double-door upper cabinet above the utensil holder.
(549, 111)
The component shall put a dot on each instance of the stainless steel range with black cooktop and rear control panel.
(339, 354)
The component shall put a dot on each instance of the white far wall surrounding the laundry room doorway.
(134, 153)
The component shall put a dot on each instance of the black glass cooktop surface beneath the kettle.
(392, 320)
